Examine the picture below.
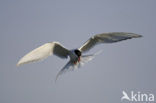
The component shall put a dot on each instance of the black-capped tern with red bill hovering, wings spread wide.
(75, 55)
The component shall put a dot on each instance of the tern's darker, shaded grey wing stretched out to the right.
(106, 38)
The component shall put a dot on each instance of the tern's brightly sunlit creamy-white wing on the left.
(43, 52)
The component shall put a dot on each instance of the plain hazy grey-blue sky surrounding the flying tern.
(124, 66)
